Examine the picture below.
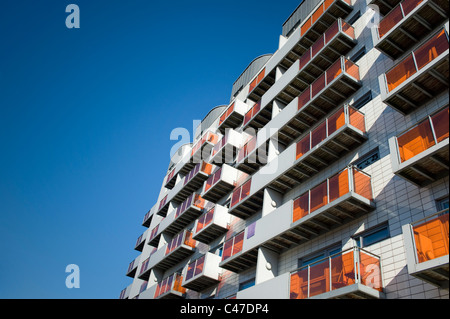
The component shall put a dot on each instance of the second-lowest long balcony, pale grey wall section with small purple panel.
(338, 200)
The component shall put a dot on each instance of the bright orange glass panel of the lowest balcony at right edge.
(431, 238)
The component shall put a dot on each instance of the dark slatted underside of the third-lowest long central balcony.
(327, 152)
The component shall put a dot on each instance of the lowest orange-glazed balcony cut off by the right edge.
(426, 244)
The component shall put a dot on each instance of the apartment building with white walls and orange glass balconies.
(327, 174)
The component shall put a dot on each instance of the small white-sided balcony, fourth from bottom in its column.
(225, 150)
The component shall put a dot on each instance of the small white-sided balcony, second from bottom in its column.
(212, 224)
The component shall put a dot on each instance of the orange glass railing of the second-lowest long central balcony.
(349, 180)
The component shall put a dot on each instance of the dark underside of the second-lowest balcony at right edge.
(424, 170)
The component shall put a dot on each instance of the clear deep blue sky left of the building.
(85, 122)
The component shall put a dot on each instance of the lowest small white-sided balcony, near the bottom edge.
(203, 273)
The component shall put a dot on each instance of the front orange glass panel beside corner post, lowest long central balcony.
(342, 270)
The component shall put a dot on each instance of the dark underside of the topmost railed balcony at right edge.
(413, 29)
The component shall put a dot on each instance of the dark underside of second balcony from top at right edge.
(421, 87)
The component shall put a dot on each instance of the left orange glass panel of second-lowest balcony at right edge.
(415, 141)
